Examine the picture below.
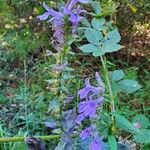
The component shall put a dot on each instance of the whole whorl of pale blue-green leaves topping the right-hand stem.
(101, 43)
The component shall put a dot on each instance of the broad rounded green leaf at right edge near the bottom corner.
(143, 137)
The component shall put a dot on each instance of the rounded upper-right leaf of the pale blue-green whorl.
(114, 37)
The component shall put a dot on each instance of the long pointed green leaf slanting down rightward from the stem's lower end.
(124, 124)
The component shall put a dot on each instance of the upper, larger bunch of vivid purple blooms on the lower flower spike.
(93, 99)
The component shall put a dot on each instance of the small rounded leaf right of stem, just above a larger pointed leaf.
(117, 75)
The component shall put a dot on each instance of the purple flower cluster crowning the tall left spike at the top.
(58, 18)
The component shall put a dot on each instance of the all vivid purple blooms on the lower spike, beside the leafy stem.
(87, 109)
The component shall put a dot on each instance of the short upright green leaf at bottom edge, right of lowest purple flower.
(112, 142)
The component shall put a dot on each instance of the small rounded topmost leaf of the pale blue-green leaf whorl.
(97, 23)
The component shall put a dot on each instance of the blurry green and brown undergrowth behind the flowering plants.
(25, 95)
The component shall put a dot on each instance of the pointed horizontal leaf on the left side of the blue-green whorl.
(88, 48)
